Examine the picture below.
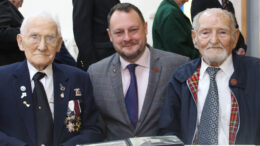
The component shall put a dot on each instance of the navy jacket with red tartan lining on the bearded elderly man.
(179, 113)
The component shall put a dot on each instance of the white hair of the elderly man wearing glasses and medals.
(44, 14)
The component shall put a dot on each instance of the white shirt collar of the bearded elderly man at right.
(227, 67)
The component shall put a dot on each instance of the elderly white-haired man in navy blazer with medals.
(68, 91)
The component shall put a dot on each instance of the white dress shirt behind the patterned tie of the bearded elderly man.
(224, 92)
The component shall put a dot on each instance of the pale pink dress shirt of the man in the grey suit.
(142, 76)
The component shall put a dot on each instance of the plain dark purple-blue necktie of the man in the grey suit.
(131, 99)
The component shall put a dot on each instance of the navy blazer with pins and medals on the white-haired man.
(16, 111)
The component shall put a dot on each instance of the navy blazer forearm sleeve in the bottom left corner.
(6, 140)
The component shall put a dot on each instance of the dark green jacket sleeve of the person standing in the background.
(175, 36)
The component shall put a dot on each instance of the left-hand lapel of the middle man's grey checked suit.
(116, 80)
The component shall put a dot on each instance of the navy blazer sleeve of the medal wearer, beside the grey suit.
(91, 129)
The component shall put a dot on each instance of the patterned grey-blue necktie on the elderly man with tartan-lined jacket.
(208, 128)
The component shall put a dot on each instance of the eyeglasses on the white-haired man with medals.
(35, 39)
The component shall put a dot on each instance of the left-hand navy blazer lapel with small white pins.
(25, 106)
